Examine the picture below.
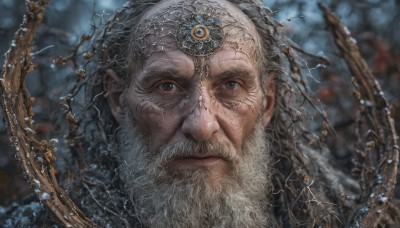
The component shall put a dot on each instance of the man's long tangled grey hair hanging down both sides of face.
(306, 191)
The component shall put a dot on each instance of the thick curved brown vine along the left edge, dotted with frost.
(36, 157)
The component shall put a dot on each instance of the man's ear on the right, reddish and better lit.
(269, 99)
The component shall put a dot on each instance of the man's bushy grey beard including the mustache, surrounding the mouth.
(162, 199)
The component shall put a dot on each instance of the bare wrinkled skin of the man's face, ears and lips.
(217, 98)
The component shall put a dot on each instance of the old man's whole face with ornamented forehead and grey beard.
(192, 127)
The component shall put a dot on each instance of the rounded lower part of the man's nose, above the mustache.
(201, 123)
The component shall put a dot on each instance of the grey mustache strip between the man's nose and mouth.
(190, 148)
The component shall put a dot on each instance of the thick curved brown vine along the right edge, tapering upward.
(378, 151)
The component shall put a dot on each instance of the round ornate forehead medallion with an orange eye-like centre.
(199, 35)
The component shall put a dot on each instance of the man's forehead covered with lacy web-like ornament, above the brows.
(196, 27)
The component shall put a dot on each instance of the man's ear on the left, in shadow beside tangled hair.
(113, 86)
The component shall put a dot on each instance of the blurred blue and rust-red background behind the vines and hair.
(375, 25)
